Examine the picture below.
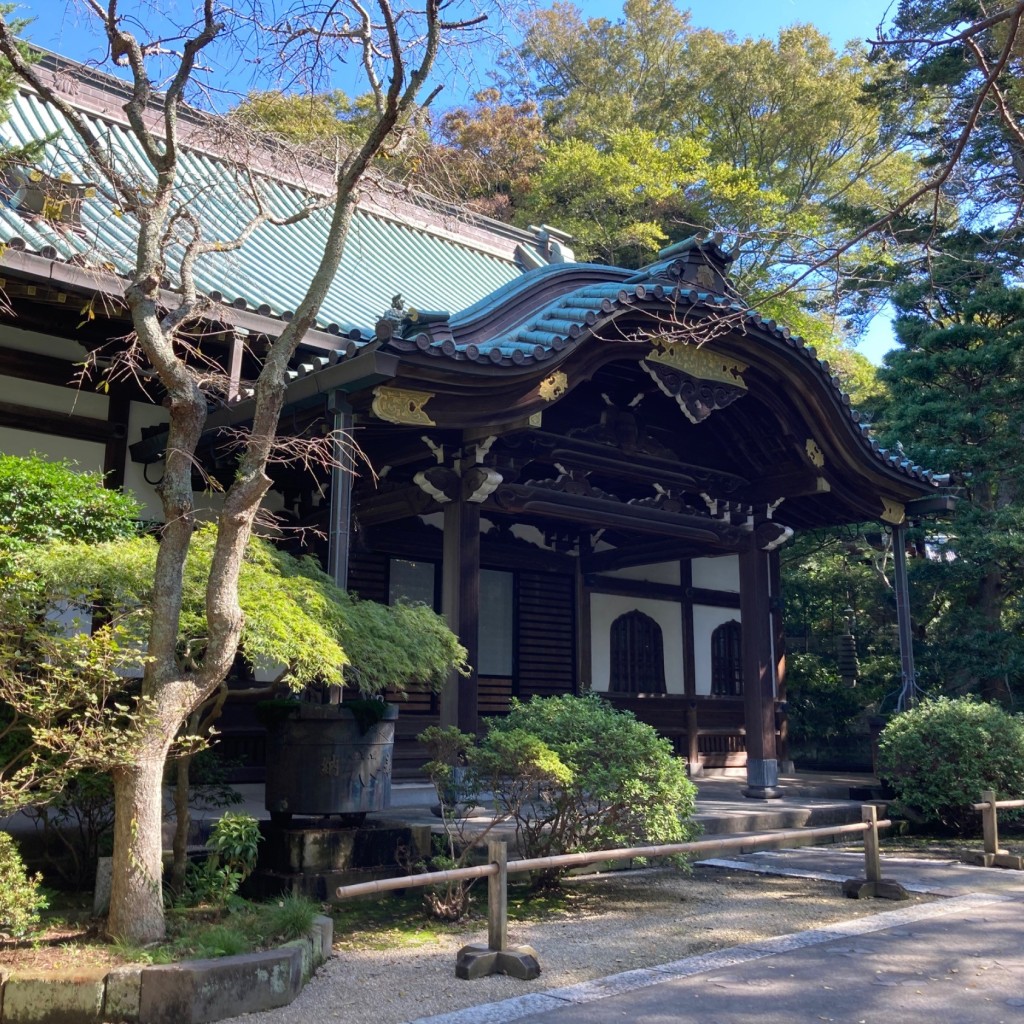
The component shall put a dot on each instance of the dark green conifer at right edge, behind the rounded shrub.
(956, 383)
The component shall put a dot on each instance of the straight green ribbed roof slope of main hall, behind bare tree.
(270, 274)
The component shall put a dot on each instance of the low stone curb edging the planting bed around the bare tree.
(190, 993)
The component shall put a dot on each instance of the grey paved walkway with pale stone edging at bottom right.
(957, 961)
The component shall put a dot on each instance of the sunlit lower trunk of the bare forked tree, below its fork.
(137, 913)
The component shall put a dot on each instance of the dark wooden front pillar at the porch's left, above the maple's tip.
(460, 606)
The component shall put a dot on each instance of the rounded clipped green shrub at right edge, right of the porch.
(941, 756)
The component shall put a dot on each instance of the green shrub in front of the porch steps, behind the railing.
(576, 775)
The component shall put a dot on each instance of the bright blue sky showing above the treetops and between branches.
(64, 27)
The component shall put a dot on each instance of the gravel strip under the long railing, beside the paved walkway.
(620, 921)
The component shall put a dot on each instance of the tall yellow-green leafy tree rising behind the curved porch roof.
(786, 152)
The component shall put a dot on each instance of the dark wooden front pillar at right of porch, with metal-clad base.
(759, 691)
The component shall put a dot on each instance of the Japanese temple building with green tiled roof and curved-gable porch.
(589, 471)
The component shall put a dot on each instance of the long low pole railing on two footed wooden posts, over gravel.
(499, 869)
